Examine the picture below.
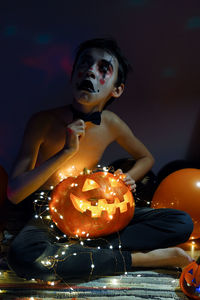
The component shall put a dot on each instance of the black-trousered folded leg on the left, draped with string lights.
(36, 254)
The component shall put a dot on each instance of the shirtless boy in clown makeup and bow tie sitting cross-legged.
(59, 141)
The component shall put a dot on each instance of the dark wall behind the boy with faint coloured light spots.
(161, 39)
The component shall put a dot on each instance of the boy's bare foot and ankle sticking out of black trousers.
(167, 257)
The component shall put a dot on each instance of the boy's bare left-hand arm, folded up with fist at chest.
(25, 178)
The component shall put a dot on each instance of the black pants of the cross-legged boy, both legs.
(36, 253)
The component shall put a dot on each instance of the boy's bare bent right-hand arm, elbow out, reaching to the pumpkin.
(125, 138)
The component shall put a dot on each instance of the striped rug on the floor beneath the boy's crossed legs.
(148, 284)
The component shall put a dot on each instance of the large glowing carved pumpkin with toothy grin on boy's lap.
(91, 205)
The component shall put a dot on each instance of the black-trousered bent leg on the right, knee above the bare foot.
(151, 229)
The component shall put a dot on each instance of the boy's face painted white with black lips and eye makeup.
(94, 77)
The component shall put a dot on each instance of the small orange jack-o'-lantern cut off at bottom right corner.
(190, 280)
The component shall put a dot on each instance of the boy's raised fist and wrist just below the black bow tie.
(75, 131)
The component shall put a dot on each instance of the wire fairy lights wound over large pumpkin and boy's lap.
(41, 206)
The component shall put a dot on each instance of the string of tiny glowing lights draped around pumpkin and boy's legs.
(41, 208)
